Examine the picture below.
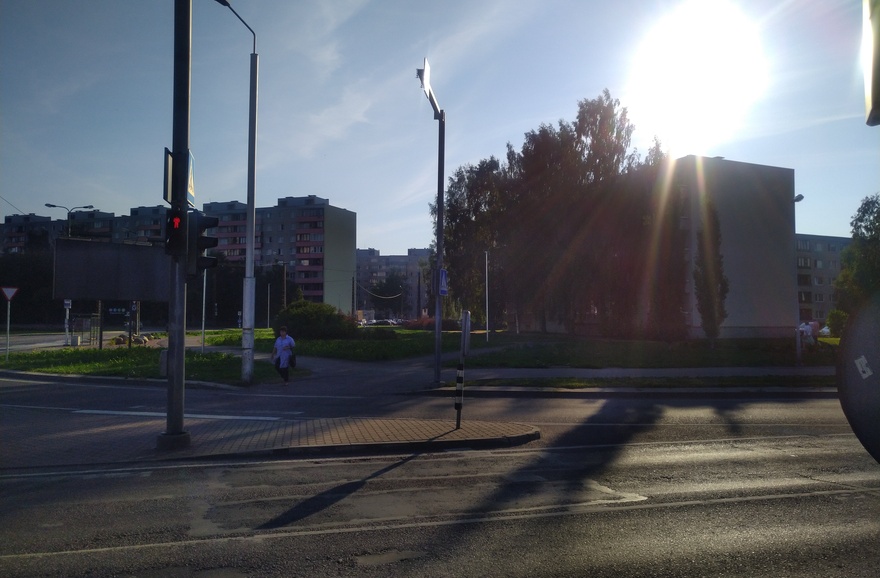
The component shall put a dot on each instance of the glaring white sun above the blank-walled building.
(695, 76)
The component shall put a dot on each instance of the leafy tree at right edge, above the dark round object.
(860, 274)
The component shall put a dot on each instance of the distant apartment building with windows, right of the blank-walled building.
(818, 265)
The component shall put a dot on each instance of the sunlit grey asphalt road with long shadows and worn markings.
(624, 486)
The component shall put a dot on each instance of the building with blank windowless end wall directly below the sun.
(755, 208)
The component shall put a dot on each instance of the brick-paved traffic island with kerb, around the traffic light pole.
(95, 438)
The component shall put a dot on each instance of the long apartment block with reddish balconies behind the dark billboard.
(315, 241)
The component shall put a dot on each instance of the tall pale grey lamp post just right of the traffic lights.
(249, 288)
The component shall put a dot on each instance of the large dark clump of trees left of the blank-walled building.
(566, 220)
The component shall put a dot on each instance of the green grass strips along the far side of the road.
(501, 350)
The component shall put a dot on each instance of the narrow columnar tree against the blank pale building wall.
(710, 283)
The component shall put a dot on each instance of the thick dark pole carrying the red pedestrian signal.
(175, 436)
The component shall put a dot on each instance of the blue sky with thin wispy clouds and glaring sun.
(86, 97)
